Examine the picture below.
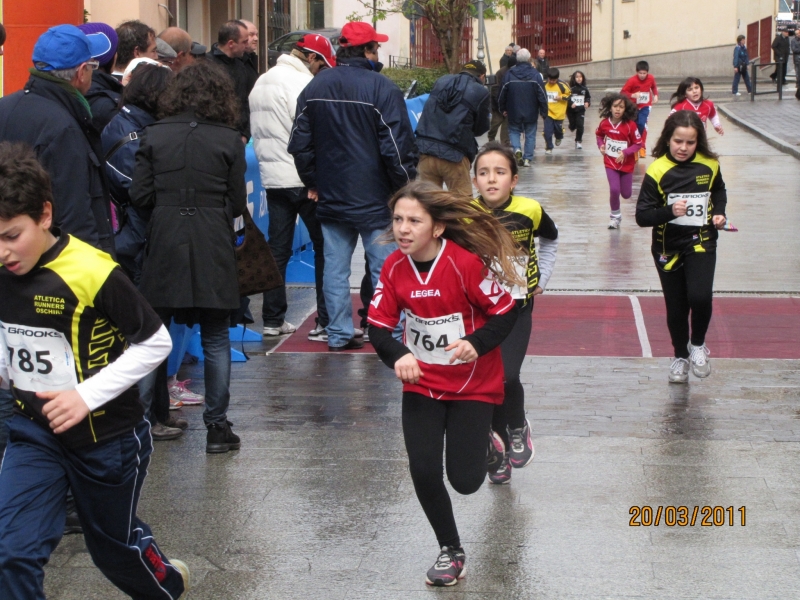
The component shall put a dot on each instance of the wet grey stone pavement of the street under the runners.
(318, 502)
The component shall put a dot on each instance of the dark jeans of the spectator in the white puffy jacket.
(285, 205)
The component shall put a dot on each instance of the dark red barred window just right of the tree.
(562, 27)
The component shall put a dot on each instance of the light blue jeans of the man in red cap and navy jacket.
(340, 243)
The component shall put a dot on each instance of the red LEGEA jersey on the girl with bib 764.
(451, 301)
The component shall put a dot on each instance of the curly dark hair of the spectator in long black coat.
(207, 89)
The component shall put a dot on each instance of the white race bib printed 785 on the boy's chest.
(39, 359)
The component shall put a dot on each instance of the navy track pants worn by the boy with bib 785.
(106, 479)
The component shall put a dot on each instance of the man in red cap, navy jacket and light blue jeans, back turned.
(353, 147)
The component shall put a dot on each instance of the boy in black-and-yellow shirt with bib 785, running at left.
(75, 337)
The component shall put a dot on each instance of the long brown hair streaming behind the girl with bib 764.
(468, 226)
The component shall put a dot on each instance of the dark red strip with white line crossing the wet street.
(586, 325)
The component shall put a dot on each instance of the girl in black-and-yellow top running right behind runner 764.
(495, 177)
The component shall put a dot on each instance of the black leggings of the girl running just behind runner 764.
(511, 412)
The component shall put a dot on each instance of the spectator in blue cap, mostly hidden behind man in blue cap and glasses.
(106, 90)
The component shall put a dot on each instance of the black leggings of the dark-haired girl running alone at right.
(689, 289)
